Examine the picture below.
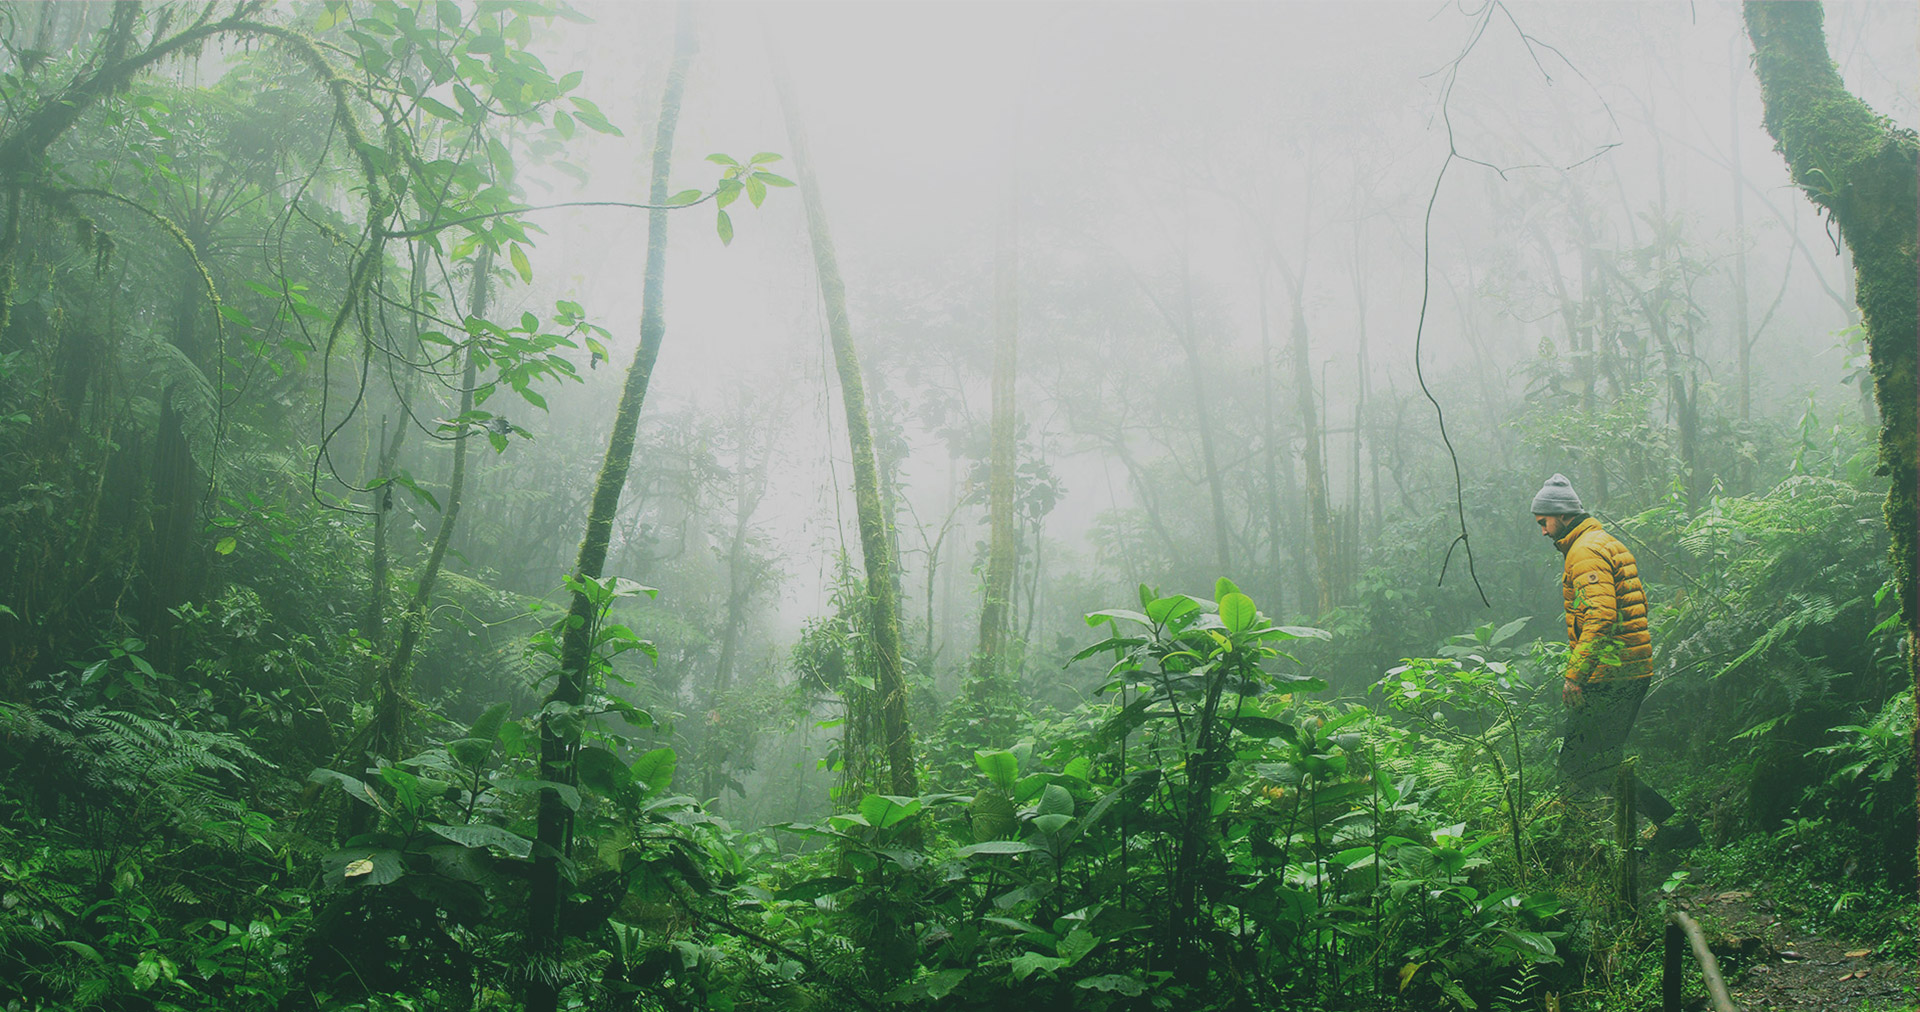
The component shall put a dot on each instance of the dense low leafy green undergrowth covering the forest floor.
(1211, 831)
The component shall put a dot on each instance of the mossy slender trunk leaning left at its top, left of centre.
(876, 542)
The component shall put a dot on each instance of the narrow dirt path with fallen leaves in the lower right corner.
(1773, 967)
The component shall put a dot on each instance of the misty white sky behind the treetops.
(1140, 130)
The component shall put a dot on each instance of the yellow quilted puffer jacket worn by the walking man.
(1606, 608)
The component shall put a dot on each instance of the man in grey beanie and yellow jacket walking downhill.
(1612, 660)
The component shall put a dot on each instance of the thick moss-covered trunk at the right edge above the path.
(1861, 170)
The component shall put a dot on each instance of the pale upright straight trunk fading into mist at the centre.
(1003, 541)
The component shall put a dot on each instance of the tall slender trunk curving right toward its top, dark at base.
(558, 748)
